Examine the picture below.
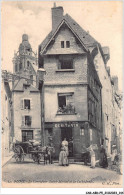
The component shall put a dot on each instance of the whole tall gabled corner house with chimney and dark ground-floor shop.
(72, 89)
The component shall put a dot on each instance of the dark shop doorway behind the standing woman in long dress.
(66, 132)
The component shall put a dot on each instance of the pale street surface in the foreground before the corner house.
(32, 172)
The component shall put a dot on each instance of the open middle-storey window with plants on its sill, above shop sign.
(66, 104)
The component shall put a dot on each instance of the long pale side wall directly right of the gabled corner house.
(107, 102)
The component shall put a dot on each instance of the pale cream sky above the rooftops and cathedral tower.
(103, 20)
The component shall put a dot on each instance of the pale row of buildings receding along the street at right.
(110, 105)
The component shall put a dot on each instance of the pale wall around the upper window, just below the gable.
(55, 76)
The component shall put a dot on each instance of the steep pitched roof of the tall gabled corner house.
(84, 36)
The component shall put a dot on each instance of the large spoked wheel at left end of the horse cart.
(19, 154)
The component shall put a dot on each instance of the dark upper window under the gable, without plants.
(66, 64)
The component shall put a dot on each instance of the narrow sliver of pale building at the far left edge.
(6, 114)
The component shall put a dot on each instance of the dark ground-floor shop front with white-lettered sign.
(76, 133)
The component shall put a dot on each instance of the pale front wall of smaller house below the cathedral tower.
(34, 112)
